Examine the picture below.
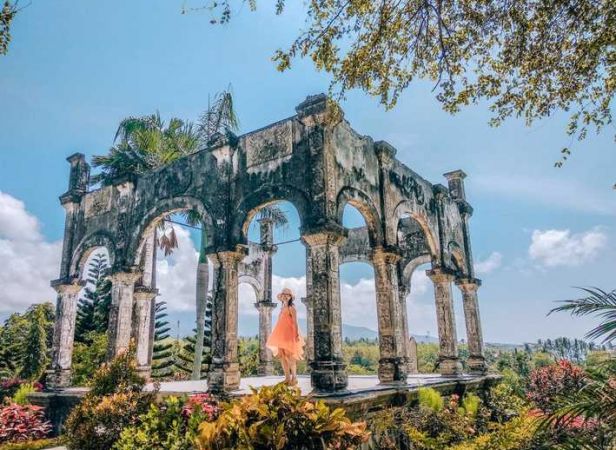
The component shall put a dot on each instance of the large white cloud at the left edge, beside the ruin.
(28, 261)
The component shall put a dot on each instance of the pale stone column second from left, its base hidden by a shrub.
(121, 311)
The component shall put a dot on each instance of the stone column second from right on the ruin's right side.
(449, 363)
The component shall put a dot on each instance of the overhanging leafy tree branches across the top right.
(527, 58)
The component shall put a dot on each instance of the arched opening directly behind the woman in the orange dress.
(276, 260)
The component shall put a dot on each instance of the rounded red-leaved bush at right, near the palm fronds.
(556, 380)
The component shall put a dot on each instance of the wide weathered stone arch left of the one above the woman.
(151, 218)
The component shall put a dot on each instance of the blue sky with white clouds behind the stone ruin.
(74, 69)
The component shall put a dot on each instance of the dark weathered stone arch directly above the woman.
(250, 205)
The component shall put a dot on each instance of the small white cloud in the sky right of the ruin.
(552, 248)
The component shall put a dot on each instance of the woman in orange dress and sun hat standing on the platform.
(285, 342)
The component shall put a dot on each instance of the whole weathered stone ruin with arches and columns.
(319, 166)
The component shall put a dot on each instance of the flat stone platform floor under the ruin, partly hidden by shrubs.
(364, 393)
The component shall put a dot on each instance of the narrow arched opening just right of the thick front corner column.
(358, 297)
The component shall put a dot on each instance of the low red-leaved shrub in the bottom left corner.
(20, 423)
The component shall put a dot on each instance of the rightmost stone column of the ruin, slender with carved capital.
(476, 361)
